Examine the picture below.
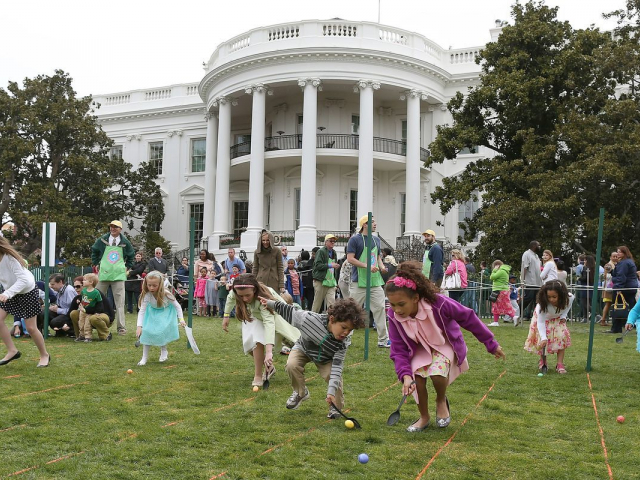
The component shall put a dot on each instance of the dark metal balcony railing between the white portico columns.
(327, 140)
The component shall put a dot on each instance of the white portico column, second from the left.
(221, 221)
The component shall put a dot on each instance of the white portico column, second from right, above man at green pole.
(365, 156)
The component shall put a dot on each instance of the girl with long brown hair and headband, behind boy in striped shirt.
(261, 327)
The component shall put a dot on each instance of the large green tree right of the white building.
(565, 143)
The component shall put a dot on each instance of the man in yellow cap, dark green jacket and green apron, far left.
(113, 254)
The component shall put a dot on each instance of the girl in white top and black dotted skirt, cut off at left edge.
(20, 299)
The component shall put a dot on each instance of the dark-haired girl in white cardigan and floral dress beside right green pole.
(549, 323)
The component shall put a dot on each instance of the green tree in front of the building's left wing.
(55, 162)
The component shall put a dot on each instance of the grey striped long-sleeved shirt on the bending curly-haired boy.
(316, 341)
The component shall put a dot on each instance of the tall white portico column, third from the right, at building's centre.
(306, 235)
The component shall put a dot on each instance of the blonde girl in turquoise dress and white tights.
(157, 317)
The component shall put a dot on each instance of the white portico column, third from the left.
(249, 239)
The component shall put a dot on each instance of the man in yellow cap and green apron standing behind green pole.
(357, 256)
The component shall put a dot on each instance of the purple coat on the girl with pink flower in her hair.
(449, 316)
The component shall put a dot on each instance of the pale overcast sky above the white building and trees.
(120, 45)
